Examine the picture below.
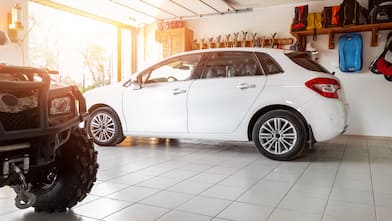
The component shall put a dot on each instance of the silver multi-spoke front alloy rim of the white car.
(102, 127)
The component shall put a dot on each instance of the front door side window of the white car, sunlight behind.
(176, 69)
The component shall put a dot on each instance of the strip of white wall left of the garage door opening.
(12, 53)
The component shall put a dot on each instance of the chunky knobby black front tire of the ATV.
(72, 175)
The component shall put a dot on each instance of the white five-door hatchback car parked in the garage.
(280, 101)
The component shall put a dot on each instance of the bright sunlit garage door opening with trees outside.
(86, 52)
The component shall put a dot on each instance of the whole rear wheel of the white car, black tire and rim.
(279, 135)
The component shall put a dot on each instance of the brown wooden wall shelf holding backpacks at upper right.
(374, 28)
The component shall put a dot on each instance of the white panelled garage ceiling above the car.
(140, 12)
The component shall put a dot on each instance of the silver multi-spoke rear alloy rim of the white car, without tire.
(277, 136)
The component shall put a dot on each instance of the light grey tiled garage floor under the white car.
(349, 178)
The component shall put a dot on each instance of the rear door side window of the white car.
(231, 64)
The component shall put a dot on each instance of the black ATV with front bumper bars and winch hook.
(44, 154)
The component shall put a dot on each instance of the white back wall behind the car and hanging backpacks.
(369, 95)
